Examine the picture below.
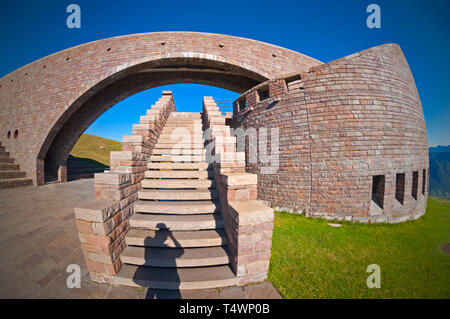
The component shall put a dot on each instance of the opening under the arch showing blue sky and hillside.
(91, 152)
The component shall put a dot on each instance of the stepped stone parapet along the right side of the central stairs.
(248, 222)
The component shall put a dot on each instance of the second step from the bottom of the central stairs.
(175, 257)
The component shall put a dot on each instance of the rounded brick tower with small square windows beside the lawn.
(340, 125)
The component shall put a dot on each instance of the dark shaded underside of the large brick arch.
(101, 97)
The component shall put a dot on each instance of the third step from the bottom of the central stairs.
(183, 239)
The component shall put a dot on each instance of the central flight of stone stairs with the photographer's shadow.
(176, 238)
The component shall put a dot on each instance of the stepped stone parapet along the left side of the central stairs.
(103, 222)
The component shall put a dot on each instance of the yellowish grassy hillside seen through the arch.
(95, 148)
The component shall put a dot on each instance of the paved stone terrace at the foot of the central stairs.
(38, 239)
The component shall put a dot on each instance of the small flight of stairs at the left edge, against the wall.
(10, 173)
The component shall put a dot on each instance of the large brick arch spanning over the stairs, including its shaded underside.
(53, 100)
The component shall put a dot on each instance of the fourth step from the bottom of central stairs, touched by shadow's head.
(177, 222)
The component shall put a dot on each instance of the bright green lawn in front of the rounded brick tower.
(311, 259)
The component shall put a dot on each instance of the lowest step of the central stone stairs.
(176, 279)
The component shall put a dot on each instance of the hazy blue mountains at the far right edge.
(440, 171)
